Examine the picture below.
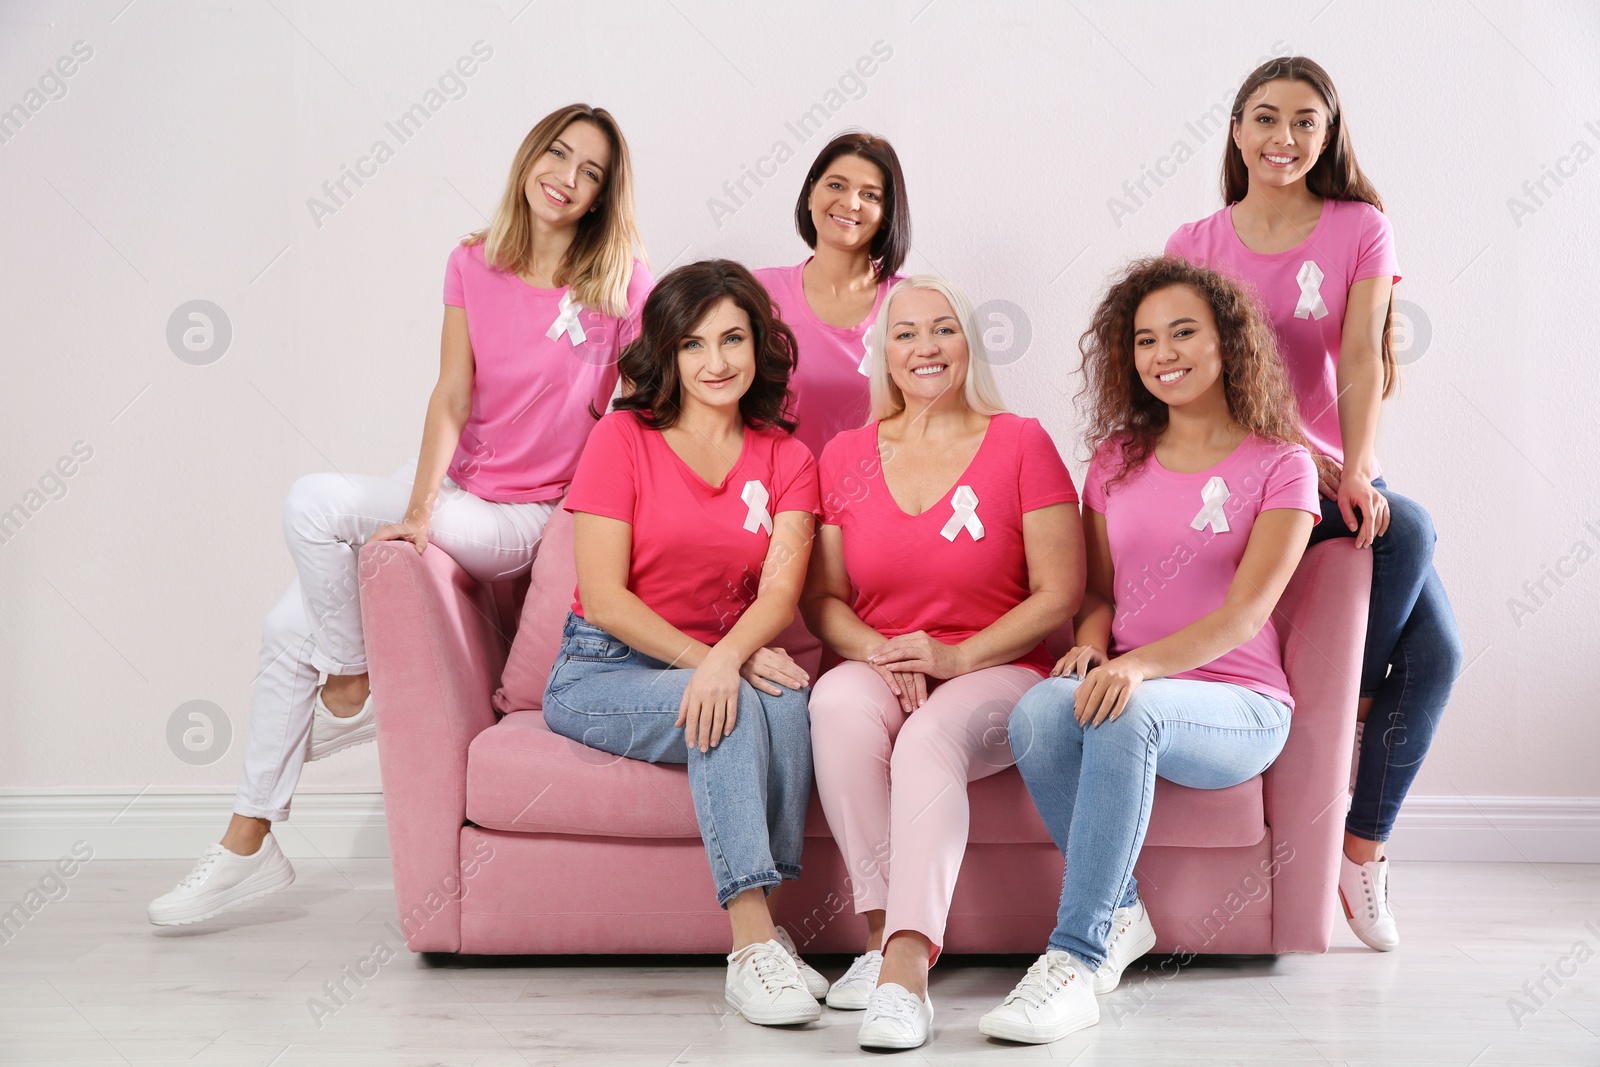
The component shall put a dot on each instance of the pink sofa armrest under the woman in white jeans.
(436, 652)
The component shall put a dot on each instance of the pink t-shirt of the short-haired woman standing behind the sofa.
(830, 383)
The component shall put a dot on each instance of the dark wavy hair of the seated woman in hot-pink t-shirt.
(676, 306)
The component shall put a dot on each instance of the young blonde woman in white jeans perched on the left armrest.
(538, 308)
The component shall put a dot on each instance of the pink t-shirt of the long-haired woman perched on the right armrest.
(1351, 242)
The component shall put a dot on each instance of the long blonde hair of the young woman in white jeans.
(601, 262)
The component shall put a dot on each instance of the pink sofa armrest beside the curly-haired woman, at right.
(1322, 626)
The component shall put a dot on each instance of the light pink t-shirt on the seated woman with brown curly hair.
(1167, 573)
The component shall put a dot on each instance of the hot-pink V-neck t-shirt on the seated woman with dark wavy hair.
(698, 548)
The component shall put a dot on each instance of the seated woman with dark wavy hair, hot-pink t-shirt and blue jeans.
(694, 513)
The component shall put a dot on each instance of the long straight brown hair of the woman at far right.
(1335, 177)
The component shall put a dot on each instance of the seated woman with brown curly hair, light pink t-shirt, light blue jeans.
(1196, 513)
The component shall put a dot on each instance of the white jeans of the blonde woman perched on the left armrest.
(318, 626)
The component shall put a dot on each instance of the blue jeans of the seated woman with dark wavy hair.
(751, 793)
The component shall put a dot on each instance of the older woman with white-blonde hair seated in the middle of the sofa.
(950, 549)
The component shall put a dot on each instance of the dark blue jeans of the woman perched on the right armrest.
(1412, 660)
